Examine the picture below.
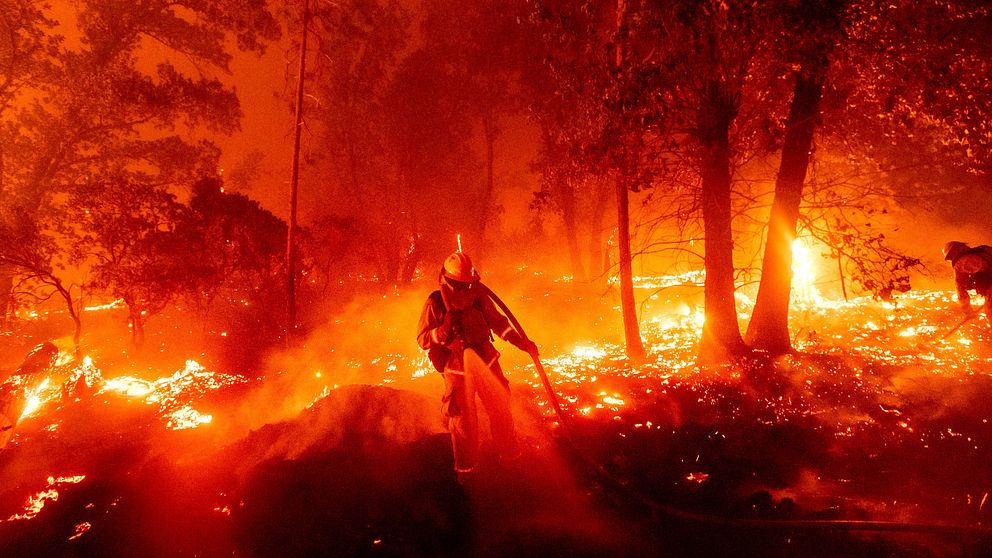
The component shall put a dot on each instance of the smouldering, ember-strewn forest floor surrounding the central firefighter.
(337, 448)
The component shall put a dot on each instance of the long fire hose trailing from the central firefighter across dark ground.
(664, 509)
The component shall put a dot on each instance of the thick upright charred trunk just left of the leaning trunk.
(721, 338)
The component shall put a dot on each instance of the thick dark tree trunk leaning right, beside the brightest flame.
(769, 326)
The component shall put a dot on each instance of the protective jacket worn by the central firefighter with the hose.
(477, 321)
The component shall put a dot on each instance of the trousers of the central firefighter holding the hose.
(460, 412)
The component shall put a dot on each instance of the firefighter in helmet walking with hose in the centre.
(456, 328)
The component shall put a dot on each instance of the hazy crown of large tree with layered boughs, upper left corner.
(95, 113)
